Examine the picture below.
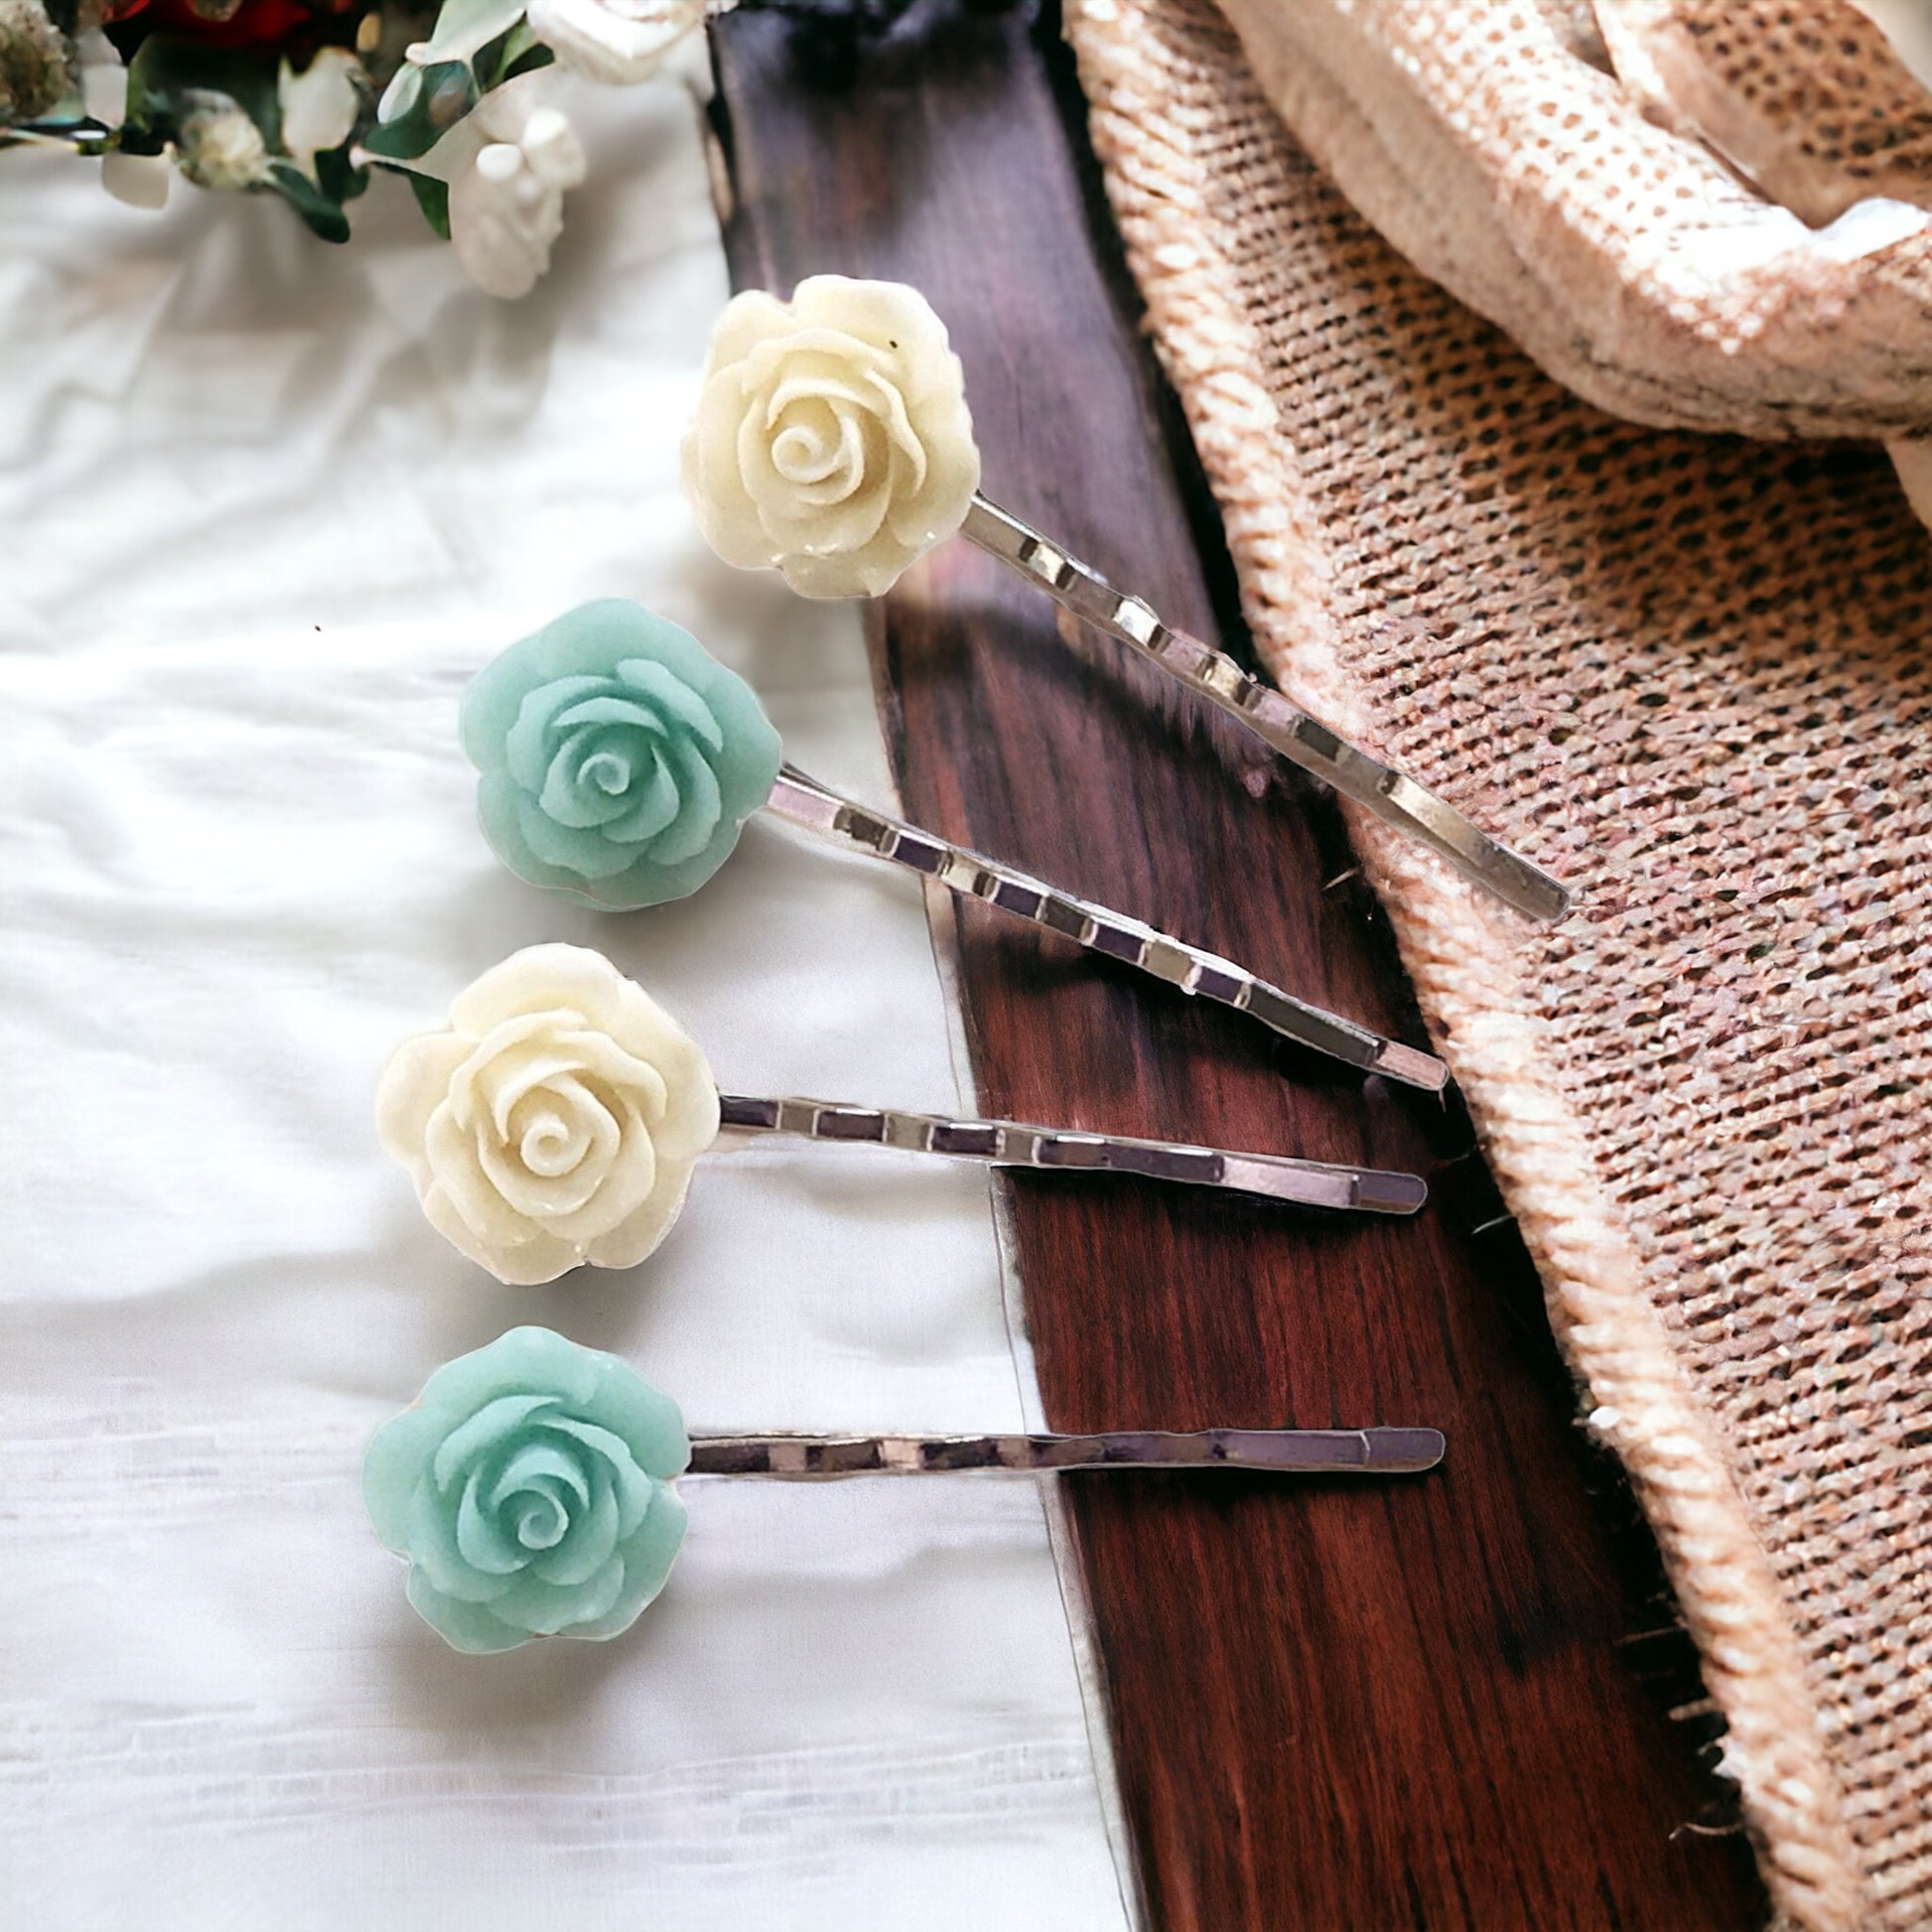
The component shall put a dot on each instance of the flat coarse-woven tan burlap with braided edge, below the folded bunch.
(1693, 677)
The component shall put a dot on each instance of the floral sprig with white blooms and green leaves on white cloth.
(306, 98)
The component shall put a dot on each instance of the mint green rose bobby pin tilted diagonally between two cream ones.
(619, 762)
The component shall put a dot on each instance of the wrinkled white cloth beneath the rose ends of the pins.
(264, 507)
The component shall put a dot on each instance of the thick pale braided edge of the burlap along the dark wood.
(1467, 982)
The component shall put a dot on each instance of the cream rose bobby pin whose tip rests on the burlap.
(834, 441)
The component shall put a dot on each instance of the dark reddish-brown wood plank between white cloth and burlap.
(1423, 1703)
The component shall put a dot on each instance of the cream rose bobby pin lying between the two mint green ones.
(555, 1122)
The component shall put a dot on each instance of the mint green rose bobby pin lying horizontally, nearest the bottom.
(532, 1485)
